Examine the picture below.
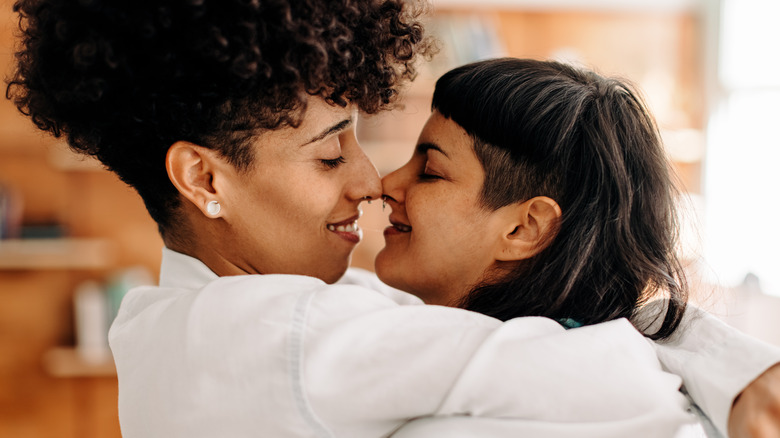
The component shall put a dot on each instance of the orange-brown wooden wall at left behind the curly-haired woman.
(36, 304)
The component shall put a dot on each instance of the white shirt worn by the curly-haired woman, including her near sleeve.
(290, 356)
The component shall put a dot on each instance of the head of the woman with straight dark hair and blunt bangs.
(538, 189)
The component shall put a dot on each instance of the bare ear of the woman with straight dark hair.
(530, 228)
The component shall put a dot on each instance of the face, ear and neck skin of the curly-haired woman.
(275, 216)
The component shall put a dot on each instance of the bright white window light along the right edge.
(742, 173)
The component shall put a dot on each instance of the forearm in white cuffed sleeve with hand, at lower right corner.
(718, 363)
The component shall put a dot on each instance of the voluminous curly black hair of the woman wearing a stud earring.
(125, 79)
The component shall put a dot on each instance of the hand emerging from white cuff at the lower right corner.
(756, 410)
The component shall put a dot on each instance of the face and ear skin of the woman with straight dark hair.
(440, 253)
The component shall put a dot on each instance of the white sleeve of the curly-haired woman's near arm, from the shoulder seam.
(366, 371)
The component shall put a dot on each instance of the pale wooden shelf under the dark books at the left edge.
(55, 254)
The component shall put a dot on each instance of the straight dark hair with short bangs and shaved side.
(549, 129)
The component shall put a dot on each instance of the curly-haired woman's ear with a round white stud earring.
(192, 169)
